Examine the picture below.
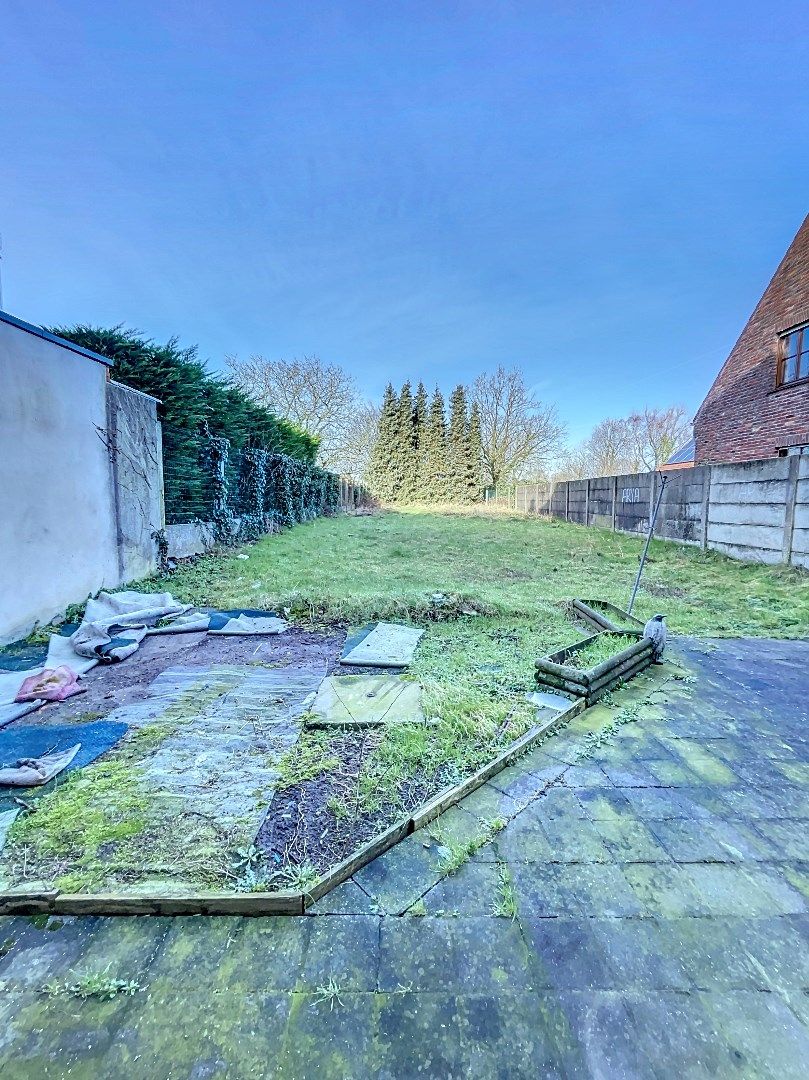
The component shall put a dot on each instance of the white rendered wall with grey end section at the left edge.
(82, 488)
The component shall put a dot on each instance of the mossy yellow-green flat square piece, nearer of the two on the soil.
(367, 700)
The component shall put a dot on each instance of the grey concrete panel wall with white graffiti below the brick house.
(757, 512)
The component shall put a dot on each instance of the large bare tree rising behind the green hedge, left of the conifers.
(319, 398)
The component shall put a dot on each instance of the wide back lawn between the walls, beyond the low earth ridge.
(389, 565)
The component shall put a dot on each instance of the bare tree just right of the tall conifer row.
(520, 435)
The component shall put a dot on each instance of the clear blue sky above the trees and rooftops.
(597, 194)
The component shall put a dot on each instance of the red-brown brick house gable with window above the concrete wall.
(759, 406)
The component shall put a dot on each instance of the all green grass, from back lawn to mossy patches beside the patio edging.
(489, 588)
